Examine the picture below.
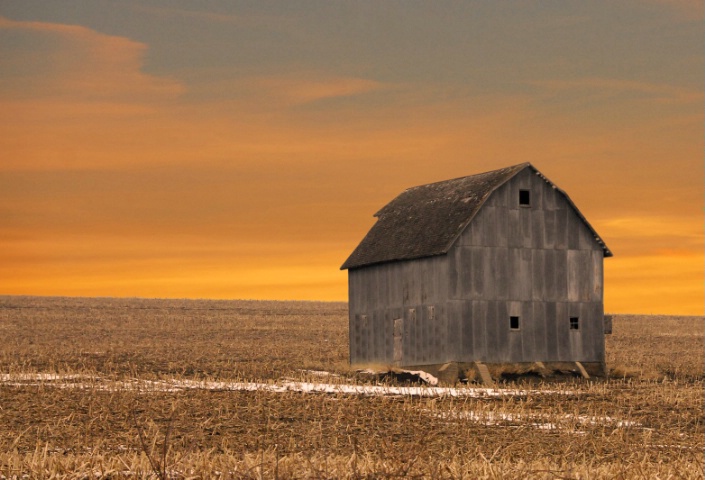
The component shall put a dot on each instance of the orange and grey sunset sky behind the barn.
(239, 149)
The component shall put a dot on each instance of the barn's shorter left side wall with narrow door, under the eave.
(413, 291)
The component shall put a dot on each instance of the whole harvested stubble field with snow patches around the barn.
(132, 388)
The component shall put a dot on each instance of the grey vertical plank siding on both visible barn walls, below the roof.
(540, 263)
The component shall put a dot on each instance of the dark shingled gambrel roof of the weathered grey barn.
(426, 220)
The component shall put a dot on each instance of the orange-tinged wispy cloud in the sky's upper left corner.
(77, 63)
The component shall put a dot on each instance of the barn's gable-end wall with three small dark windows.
(540, 263)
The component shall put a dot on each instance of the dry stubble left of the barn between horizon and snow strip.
(153, 338)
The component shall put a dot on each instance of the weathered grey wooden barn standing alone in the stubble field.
(490, 269)
